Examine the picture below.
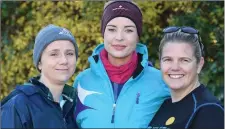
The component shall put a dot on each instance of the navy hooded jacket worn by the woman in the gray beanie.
(33, 107)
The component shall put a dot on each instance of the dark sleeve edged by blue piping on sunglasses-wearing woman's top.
(209, 117)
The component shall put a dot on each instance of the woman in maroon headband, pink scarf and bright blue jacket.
(120, 89)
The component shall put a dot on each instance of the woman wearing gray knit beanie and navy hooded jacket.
(45, 101)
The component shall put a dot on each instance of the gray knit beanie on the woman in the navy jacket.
(48, 35)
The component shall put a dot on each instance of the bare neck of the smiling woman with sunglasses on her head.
(178, 95)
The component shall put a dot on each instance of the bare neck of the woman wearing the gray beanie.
(55, 89)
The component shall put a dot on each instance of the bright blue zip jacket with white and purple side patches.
(137, 103)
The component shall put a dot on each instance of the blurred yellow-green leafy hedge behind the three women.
(21, 21)
